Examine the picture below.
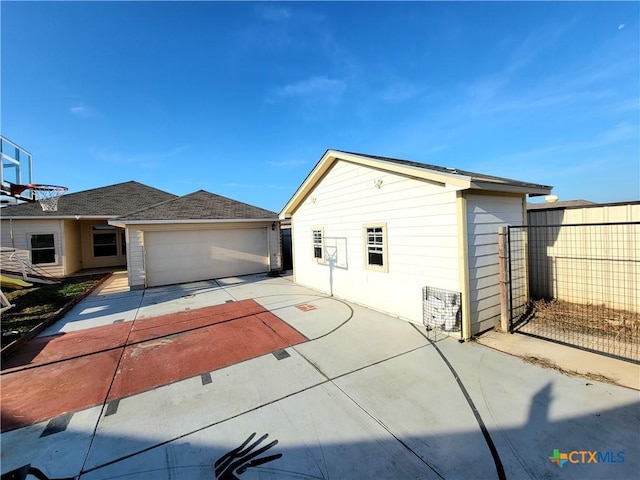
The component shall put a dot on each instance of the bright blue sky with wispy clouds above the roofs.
(242, 98)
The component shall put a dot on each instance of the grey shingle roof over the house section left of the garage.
(110, 201)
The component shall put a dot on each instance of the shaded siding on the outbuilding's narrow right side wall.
(485, 214)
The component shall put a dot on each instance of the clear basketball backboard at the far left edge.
(17, 169)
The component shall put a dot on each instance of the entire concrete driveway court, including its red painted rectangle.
(257, 377)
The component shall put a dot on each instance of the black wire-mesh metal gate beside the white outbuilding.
(576, 285)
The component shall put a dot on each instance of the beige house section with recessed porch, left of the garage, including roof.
(77, 236)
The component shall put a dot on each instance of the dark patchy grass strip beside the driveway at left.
(34, 305)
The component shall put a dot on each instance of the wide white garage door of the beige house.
(187, 256)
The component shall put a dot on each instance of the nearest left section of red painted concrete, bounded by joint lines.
(37, 394)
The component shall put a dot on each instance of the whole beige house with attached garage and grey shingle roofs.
(158, 237)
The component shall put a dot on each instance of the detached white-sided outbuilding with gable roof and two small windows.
(376, 230)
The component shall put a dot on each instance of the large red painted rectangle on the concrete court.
(66, 375)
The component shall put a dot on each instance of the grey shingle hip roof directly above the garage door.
(200, 205)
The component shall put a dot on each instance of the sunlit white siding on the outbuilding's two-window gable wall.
(421, 232)
